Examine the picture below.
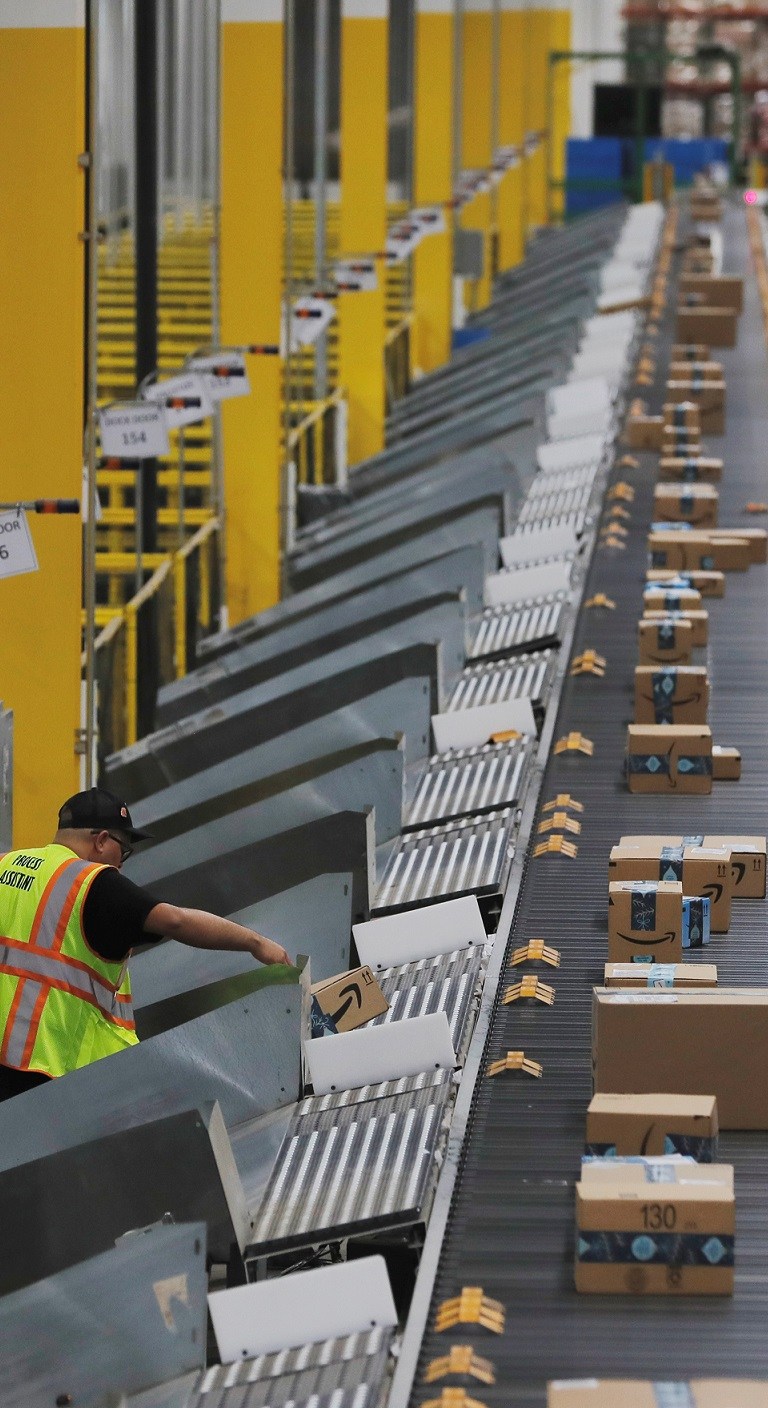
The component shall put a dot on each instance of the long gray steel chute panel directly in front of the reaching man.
(218, 1057)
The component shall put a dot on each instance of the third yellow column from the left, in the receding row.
(363, 219)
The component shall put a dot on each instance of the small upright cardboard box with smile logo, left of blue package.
(645, 920)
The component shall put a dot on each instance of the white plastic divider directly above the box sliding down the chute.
(421, 934)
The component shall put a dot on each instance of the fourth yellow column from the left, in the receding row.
(433, 99)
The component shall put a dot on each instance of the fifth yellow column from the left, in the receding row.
(477, 130)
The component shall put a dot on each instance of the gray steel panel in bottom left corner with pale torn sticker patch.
(113, 1326)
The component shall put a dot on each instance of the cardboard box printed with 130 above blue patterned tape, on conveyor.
(656, 1231)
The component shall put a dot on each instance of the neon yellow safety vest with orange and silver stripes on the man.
(61, 1005)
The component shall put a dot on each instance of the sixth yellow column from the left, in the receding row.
(512, 130)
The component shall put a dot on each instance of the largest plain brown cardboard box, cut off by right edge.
(714, 1040)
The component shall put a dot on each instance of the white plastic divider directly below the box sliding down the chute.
(374, 1054)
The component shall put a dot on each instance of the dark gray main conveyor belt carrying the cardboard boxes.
(512, 1219)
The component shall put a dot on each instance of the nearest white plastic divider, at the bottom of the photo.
(291, 1312)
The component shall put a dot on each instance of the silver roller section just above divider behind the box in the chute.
(462, 858)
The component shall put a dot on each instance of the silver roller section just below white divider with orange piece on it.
(469, 782)
